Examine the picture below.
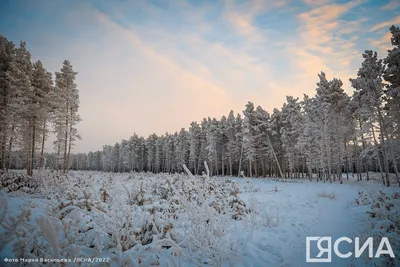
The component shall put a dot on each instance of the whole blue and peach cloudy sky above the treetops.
(155, 66)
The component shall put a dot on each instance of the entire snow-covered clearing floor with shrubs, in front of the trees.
(142, 219)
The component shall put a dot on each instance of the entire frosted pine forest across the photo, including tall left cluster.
(319, 136)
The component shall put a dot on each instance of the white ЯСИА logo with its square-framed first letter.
(323, 245)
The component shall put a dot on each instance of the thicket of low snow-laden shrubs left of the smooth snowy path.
(140, 221)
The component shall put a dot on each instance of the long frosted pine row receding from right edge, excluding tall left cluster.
(321, 136)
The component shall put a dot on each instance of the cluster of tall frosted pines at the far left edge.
(30, 102)
